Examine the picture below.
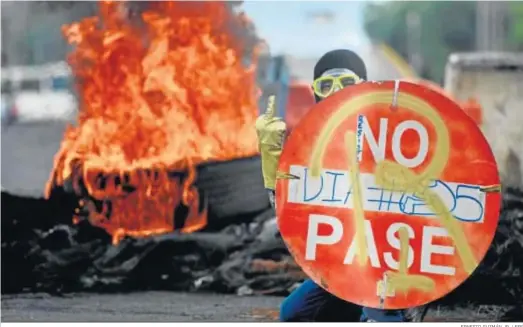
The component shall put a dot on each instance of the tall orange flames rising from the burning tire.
(159, 96)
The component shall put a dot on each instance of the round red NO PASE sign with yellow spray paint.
(388, 195)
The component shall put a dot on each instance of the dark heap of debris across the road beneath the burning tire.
(43, 252)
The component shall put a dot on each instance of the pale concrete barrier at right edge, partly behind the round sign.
(495, 80)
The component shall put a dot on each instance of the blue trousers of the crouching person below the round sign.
(309, 302)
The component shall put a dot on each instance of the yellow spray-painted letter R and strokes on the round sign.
(395, 177)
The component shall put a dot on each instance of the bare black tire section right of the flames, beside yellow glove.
(233, 188)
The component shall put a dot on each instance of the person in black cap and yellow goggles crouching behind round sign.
(334, 71)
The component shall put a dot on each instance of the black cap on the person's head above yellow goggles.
(336, 61)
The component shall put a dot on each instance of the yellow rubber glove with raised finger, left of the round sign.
(271, 132)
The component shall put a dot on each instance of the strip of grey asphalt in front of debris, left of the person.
(138, 307)
